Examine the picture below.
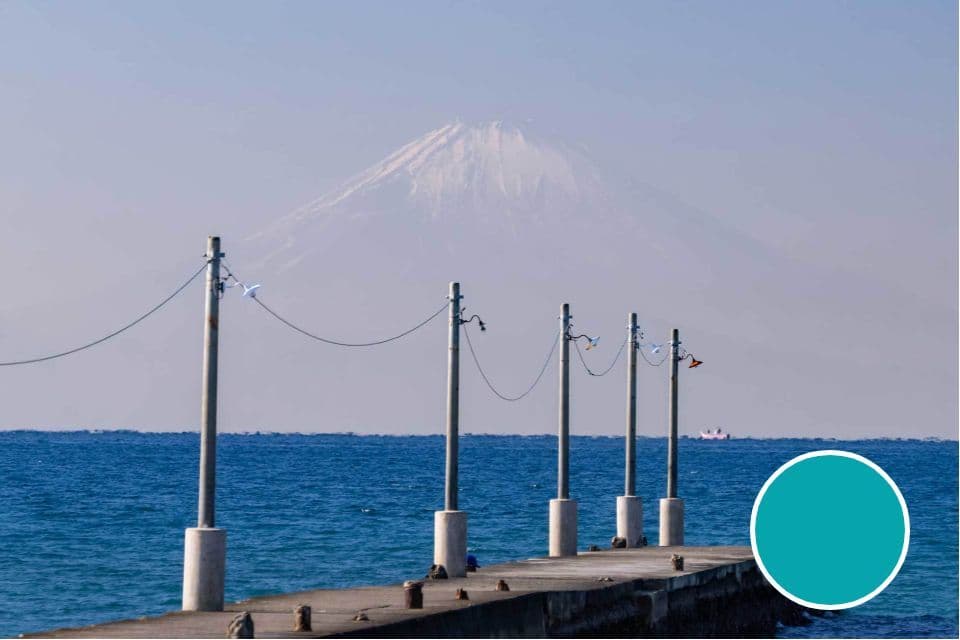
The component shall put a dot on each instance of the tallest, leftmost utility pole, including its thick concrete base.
(204, 561)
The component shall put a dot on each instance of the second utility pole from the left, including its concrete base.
(450, 525)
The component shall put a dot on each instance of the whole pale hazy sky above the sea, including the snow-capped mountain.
(777, 181)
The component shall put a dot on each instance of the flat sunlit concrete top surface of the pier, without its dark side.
(333, 610)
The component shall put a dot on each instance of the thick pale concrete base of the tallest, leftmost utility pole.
(204, 565)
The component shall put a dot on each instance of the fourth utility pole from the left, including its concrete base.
(629, 506)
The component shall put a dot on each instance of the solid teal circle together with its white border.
(830, 529)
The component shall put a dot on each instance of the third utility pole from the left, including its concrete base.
(563, 510)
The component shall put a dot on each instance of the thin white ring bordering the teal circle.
(842, 454)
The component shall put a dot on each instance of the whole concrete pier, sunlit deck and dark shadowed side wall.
(617, 592)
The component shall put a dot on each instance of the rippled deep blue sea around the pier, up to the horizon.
(91, 524)
